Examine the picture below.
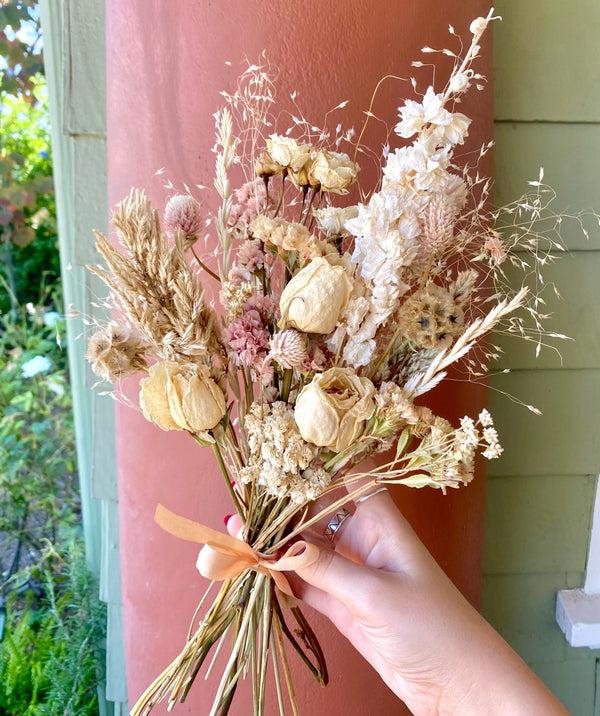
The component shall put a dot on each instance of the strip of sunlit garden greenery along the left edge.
(51, 621)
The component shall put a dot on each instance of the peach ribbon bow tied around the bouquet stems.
(225, 557)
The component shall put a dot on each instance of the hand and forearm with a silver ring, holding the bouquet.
(384, 591)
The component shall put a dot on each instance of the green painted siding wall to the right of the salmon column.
(540, 494)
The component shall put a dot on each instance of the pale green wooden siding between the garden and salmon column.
(75, 68)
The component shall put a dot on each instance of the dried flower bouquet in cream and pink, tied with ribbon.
(335, 320)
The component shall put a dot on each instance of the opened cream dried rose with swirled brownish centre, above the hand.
(332, 410)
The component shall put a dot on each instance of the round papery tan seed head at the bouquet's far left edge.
(113, 353)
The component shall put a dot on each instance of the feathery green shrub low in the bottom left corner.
(51, 655)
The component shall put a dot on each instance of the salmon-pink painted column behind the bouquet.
(166, 66)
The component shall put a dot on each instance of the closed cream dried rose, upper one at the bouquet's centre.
(313, 300)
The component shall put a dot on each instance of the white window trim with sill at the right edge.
(578, 610)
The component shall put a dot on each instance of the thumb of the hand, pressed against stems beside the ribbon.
(350, 583)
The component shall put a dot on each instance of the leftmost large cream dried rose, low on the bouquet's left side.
(179, 396)
